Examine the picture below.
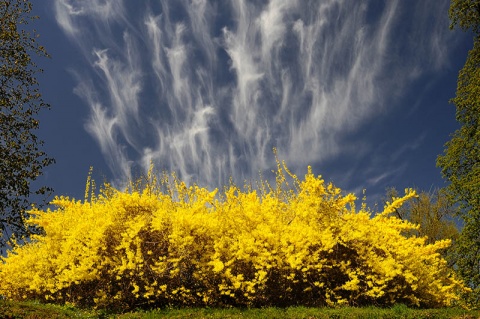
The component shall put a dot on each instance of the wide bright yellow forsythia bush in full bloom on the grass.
(162, 243)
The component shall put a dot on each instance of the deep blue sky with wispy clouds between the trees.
(357, 89)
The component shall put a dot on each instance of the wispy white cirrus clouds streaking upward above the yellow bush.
(208, 88)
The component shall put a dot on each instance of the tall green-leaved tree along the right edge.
(460, 162)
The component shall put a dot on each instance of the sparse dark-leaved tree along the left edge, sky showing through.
(21, 160)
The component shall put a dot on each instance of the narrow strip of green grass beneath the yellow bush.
(32, 310)
